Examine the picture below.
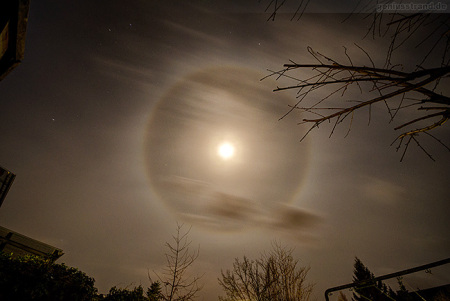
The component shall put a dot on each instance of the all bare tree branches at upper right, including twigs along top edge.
(325, 82)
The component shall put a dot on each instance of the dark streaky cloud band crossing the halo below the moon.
(201, 203)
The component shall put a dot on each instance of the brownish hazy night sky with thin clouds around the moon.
(113, 121)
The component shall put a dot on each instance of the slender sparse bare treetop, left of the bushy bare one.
(178, 285)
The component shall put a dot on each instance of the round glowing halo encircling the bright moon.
(187, 125)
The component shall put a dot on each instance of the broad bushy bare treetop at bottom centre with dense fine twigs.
(274, 276)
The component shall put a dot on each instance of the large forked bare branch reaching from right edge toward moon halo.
(389, 83)
